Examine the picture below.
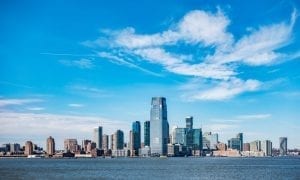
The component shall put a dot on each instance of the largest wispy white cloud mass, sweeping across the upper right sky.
(203, 30)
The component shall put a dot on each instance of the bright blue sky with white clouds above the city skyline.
(69, 66)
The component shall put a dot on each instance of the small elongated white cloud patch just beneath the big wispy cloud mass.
(225, 90)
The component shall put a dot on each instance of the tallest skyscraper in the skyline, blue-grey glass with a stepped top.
(159, 129)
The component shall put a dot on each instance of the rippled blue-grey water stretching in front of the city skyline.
(152, 168)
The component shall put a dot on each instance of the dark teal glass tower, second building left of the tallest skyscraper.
(136, 137)
